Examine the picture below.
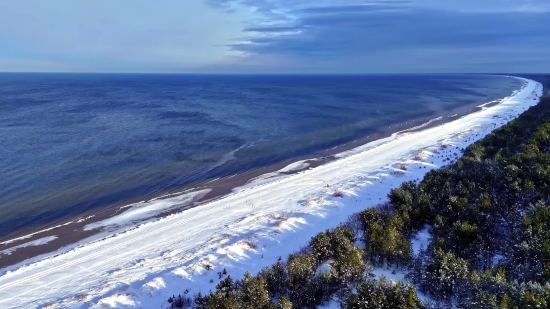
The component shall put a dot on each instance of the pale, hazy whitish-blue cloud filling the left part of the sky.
(121, 35)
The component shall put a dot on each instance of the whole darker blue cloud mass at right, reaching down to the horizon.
(361, 37)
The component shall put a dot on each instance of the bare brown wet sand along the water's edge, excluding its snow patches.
(72, 231)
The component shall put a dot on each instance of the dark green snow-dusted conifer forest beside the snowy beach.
(488, 217)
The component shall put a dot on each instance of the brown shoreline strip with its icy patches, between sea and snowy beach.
(89, 226)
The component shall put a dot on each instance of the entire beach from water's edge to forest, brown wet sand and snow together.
(140, 255)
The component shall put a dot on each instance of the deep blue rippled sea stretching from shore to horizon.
(72, 143)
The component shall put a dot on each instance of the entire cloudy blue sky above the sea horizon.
(275, 36)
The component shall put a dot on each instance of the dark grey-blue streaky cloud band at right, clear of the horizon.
(389, 30)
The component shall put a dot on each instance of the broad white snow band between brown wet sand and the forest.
(247, 230)
